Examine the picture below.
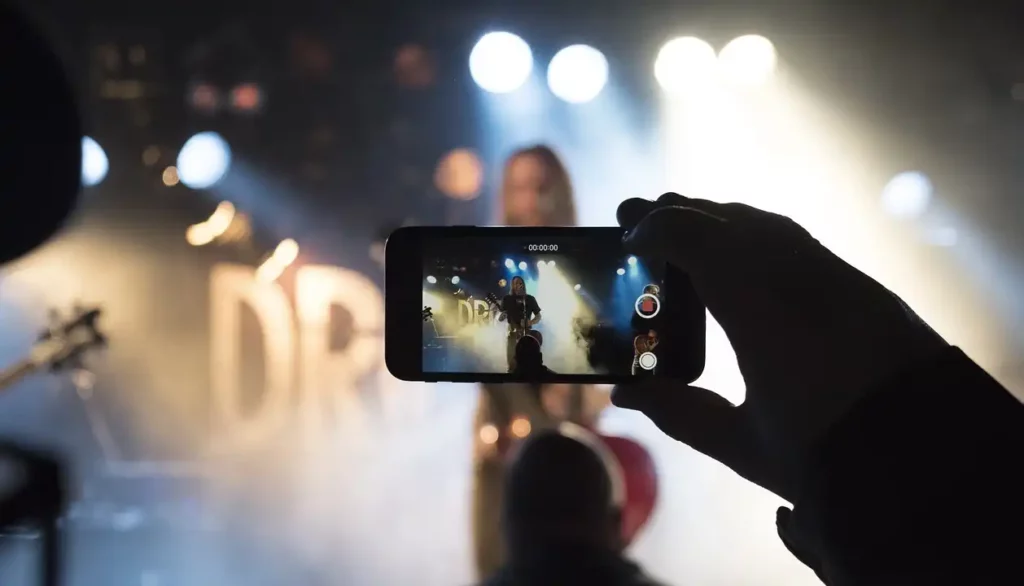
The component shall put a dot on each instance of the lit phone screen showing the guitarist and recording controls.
(542, 308)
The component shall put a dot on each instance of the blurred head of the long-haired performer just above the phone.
(536, 190)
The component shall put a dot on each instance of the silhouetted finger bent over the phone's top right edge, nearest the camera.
(690, 239)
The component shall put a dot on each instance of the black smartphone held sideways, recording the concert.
(536, 305)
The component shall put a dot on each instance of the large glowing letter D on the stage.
(231, 286)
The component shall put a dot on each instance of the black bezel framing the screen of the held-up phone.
(403, 323)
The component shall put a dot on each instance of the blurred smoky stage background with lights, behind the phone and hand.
(243, 163)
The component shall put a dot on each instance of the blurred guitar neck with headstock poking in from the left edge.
(59, 348)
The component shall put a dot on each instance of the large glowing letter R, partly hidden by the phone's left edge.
(336, 375)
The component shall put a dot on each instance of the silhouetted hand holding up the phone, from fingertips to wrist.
(813, 336)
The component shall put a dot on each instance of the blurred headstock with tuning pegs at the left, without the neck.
(63, 345)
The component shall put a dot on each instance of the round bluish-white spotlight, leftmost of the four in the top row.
(500, 63)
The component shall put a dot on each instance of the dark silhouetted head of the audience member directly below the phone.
(564, 488)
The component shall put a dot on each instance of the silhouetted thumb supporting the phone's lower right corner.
(696, 416)
